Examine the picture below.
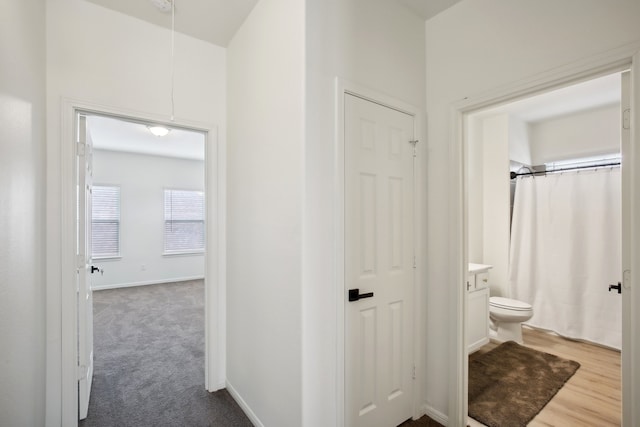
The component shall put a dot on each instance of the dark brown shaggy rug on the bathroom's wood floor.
(510, 384)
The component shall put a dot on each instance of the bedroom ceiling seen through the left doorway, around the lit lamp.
(108, 133)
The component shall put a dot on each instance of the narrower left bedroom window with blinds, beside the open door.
(105, 221)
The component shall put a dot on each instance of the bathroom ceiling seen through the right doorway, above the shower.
(583, 96)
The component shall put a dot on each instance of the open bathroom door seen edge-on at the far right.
(625, 151)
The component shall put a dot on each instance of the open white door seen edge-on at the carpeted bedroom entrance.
(85, 268)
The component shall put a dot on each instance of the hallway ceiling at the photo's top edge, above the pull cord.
(216, 21)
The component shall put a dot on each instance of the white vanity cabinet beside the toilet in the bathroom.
(477, 306)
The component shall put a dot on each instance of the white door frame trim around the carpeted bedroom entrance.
(214, 241)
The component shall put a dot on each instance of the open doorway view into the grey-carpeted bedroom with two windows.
(146, 226)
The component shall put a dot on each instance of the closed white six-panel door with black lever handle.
(379, 263)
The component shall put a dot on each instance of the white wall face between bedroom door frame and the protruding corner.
(265, 195)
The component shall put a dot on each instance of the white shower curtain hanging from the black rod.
(566, 251)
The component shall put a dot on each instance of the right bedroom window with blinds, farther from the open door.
(183, 221)
